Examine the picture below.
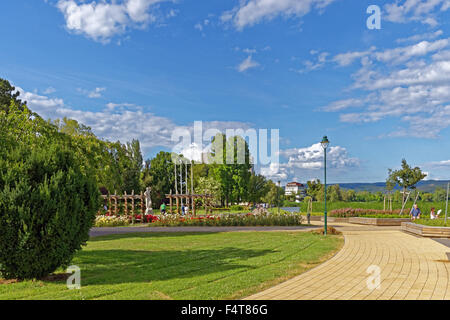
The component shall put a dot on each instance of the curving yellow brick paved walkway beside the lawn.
(411, 268)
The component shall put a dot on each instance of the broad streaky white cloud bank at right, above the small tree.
(410, 83)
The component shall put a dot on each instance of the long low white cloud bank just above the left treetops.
(122, 121)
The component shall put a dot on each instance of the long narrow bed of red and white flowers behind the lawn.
(229, 220)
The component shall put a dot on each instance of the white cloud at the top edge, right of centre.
(250, 12)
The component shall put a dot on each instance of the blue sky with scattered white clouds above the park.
(142, 68)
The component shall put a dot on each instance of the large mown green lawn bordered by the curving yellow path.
(184, 265)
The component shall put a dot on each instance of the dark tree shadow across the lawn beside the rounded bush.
(128, 266)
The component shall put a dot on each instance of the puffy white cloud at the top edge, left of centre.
(102, 20)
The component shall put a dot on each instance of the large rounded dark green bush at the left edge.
(47, 206)
